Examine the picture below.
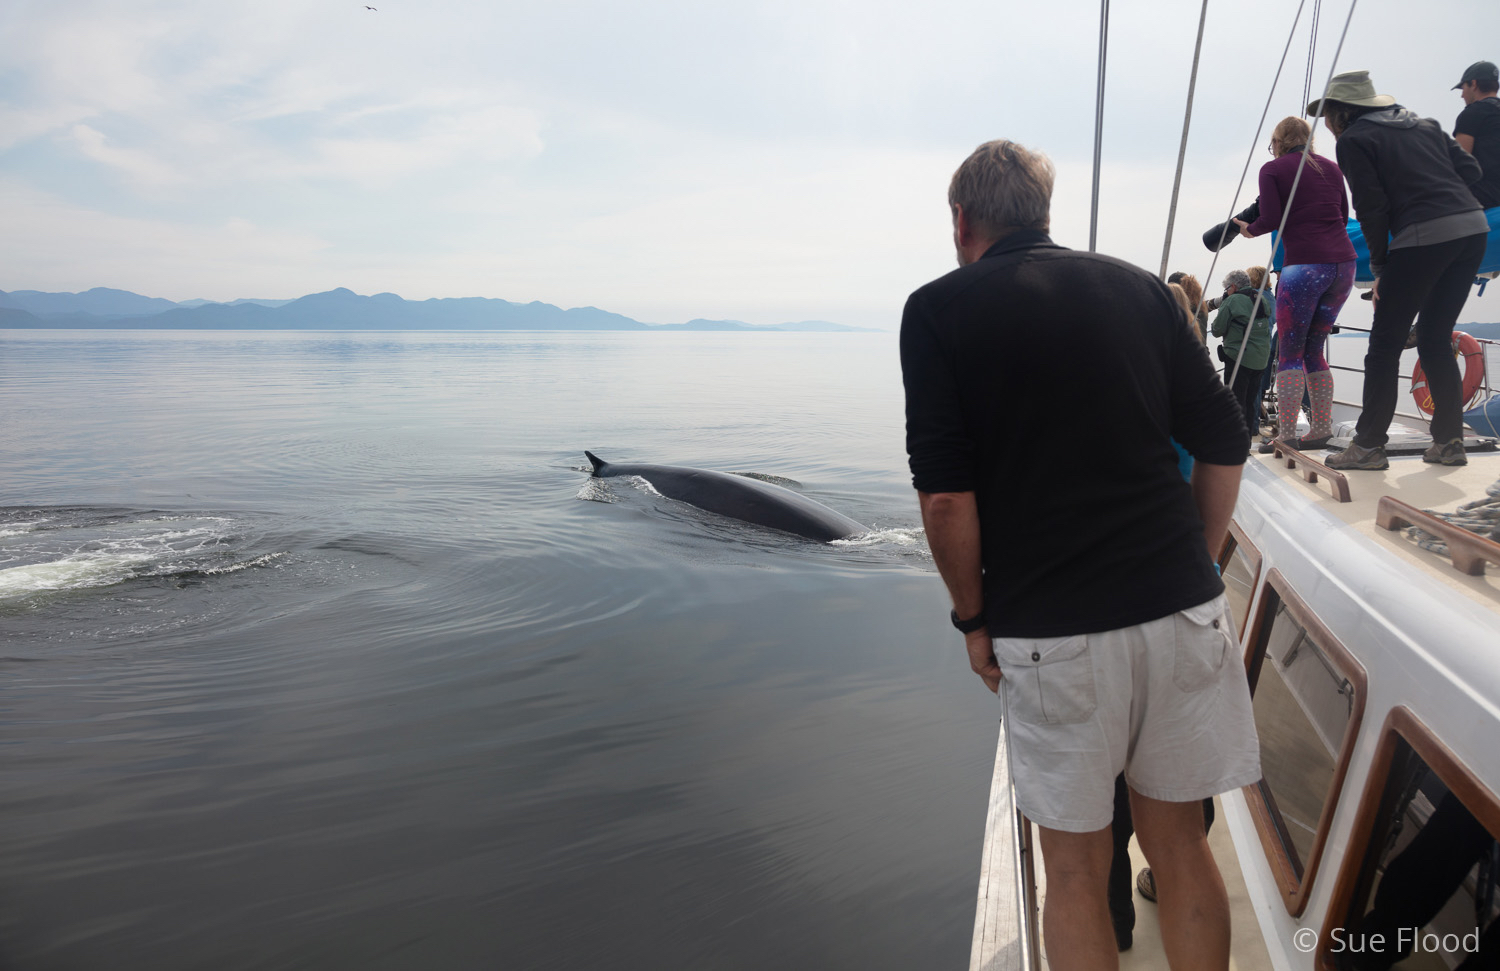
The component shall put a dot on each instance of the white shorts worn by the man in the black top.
(1165, 702)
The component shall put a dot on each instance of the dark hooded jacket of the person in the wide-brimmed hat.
(1403, 170)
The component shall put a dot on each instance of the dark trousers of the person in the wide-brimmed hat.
(1430, 284)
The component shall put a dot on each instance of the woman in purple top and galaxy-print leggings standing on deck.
(1316, 280)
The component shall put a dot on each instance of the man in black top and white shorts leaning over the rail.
(1045, 389)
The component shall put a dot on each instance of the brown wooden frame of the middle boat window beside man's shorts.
(1274, 837)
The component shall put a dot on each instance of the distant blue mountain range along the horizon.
(337, 310)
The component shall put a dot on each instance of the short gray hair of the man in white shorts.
(1003, 188)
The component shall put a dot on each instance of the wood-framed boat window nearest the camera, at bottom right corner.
(1423, 891)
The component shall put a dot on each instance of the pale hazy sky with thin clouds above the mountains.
(761, 160)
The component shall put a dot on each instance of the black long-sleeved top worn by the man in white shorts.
(1021, 373)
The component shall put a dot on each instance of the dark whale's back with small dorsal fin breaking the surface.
(739, 498)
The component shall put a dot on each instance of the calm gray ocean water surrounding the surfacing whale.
(322, 651)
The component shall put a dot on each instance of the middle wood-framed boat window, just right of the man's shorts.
(1309, 697)
